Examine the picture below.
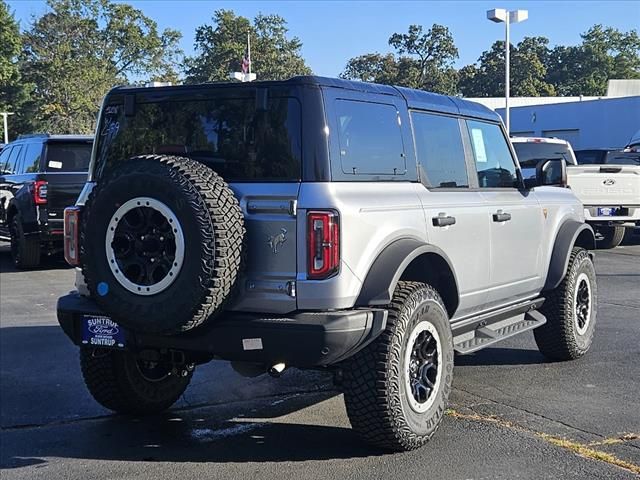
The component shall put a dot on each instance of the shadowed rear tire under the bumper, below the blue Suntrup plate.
(119, 381)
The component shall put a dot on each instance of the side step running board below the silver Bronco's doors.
(480, 332)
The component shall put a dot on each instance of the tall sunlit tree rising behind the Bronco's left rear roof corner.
(78, 50)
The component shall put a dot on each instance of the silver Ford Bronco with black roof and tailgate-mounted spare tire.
(317, 223)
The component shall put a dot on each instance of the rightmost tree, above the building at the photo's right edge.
(605, 53)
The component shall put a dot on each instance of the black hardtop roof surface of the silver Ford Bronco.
(418, 99)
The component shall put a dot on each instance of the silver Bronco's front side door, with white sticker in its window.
(515, 216)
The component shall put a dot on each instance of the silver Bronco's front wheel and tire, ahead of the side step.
(570, 326)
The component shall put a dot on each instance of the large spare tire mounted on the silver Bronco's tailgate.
(212, 232)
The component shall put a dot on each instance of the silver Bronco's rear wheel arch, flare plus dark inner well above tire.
(411, 260)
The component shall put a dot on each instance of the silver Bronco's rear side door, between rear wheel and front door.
(456, 215)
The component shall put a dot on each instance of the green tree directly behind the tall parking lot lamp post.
(528, 71)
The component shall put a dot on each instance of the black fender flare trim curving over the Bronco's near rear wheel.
(388, 267)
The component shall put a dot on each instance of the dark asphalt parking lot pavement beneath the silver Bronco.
(512, 414)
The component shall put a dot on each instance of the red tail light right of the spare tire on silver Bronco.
(323, 243)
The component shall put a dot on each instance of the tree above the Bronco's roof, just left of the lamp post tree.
(422, 60)
